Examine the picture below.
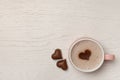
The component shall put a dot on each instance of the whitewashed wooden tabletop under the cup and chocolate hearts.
(30, 30)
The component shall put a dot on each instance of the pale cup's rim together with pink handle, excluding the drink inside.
(104, 56)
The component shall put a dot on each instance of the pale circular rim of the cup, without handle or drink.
(81, 39)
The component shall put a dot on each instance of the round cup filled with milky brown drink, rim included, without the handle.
(94, 61)
